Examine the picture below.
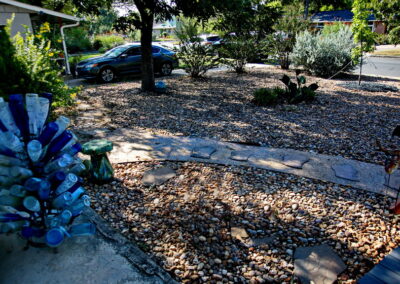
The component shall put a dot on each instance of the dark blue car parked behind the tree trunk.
(123, 60)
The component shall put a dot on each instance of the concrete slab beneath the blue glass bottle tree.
(106, 257)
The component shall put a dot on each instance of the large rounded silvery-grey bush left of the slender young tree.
(324, 55)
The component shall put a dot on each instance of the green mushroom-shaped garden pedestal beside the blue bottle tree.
(101, 170)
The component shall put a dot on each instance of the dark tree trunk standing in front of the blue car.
(147, 56)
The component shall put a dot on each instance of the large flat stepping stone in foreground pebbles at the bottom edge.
(318, 264)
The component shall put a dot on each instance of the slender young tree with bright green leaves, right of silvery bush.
(363, 35)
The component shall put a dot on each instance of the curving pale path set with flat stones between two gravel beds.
(133, 146)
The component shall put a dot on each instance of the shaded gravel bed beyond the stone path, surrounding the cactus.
(341, 122)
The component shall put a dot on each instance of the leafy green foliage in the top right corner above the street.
(389, 12)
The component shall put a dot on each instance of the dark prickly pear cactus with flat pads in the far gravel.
(298, 92)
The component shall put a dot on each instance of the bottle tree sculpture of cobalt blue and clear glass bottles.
(41, 189)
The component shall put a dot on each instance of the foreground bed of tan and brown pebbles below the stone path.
(214, 224)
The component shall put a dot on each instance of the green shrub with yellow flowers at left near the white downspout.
(35, 55)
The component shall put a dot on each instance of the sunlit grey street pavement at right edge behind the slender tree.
(381, 66)
